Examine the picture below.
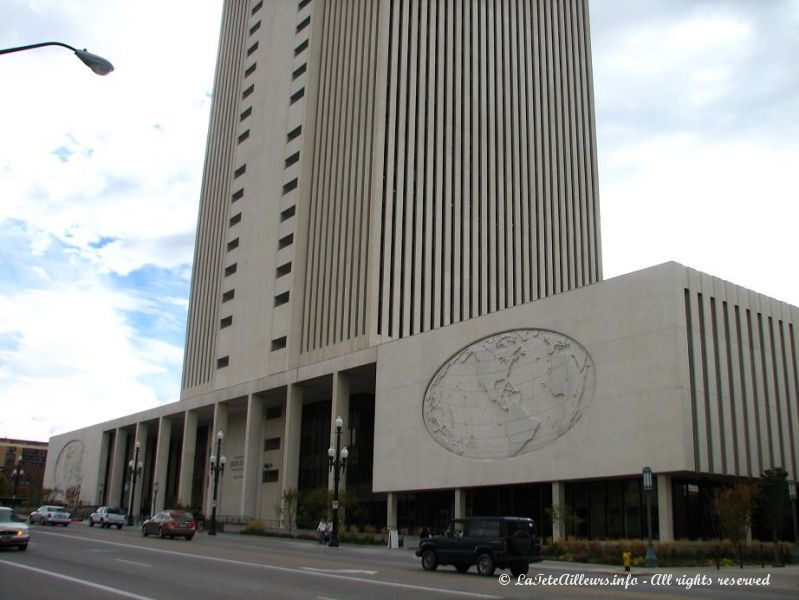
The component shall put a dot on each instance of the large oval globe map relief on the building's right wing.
(509, 394)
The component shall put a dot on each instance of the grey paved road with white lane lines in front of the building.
(88, 563)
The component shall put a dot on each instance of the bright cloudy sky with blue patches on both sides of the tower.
(697, 107)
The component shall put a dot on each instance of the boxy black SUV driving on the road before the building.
(488, 542)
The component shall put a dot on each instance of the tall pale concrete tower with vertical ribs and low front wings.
(399, 224)
